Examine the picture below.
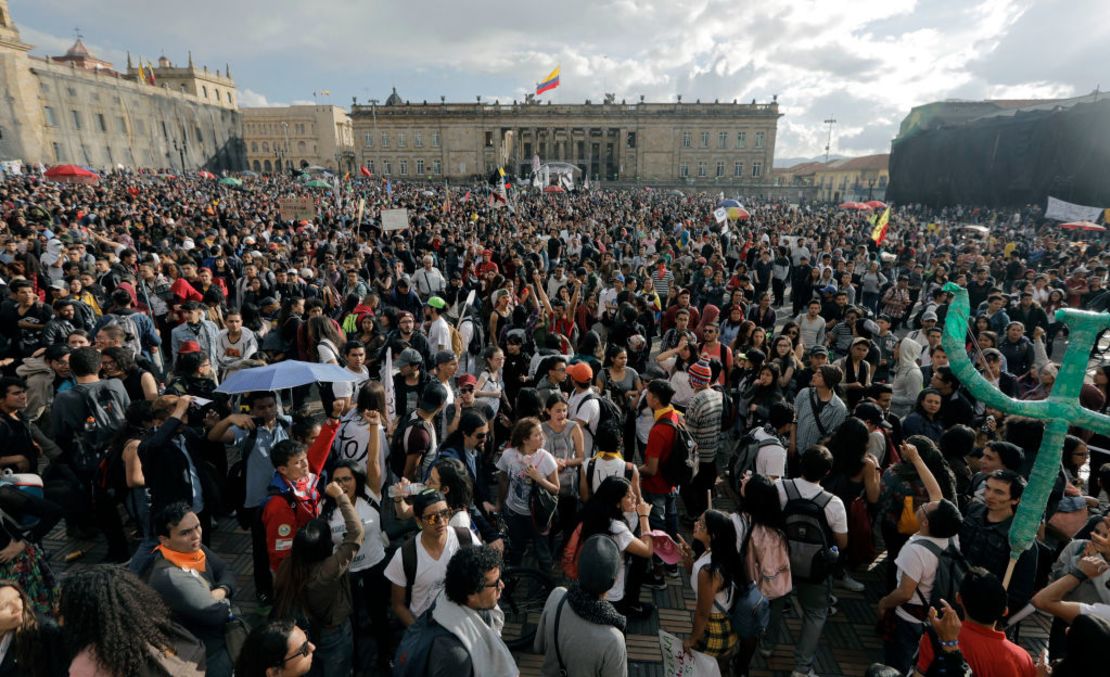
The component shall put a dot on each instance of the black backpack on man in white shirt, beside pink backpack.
(809, 534)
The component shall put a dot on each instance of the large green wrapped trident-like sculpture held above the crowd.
(1061, 411)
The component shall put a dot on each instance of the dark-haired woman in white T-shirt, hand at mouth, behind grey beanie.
(606, 514)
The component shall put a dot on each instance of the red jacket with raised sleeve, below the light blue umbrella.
(287, 511)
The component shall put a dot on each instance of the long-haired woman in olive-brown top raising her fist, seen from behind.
(314, 584)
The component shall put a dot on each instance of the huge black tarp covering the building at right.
(1008, 160)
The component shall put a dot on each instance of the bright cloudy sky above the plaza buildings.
(864, 63)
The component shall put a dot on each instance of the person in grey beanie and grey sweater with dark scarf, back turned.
(590, 638)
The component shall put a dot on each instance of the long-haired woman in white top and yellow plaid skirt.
(713, 577)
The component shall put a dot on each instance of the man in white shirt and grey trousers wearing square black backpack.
(816, 463)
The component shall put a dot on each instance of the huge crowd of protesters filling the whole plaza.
(573, 383)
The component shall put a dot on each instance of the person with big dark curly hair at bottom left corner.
(117, 625)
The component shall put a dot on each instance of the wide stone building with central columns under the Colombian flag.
(698, 144)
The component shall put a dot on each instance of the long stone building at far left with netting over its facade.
(78, 109)
